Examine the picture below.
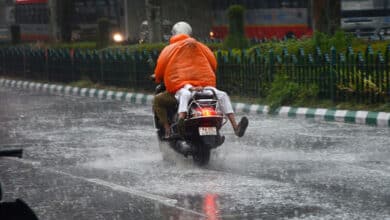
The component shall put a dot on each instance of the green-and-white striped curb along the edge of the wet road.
(380, 119)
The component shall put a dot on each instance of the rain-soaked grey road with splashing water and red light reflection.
(86, 158)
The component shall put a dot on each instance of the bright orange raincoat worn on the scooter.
(185, 61)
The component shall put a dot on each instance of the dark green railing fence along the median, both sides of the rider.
(340, 76)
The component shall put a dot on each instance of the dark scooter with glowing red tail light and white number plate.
(202, 127)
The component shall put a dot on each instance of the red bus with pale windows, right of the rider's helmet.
(265, 18)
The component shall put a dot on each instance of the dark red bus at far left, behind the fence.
(33, 18)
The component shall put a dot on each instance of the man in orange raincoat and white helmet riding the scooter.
(185, 66)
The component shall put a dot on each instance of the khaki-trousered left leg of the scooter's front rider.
(161, 103)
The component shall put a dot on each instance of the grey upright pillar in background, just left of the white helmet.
(153, 14)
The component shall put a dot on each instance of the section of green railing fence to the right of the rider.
(340, 76)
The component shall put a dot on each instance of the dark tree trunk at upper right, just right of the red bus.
(326, 15)
